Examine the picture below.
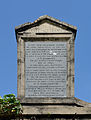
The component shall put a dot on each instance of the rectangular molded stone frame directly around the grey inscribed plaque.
(21, 39)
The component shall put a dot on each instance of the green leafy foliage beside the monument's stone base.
(10, 105)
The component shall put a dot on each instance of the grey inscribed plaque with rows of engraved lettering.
(45, 69)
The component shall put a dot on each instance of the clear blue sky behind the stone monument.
(16, 12)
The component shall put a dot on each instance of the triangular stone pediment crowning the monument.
(46, 24)
